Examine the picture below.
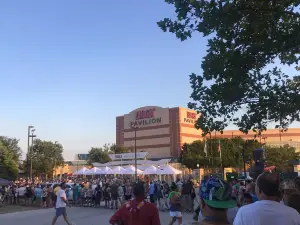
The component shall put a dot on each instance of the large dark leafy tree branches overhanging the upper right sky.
(245, 37)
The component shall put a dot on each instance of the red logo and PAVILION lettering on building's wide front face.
(145, 117)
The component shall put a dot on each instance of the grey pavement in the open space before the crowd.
(78, 216)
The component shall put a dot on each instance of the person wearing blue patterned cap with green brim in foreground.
(215, 200)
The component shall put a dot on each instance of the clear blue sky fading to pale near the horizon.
(70, 67)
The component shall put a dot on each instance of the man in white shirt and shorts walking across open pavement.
(61, 204)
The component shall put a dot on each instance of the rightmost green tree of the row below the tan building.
(280, 156)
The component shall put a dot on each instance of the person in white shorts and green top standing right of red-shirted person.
(175, 205)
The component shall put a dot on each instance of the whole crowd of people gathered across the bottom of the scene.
(267, 200)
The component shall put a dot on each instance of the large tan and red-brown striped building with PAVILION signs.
(163, 131)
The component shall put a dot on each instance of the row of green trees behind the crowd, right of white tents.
(231, 150)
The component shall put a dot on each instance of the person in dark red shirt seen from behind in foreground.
(136, 211)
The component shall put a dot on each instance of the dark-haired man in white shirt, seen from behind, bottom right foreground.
(268, 210)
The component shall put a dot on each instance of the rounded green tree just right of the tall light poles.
(46, 155)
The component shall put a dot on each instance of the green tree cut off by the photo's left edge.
(8, 165)
